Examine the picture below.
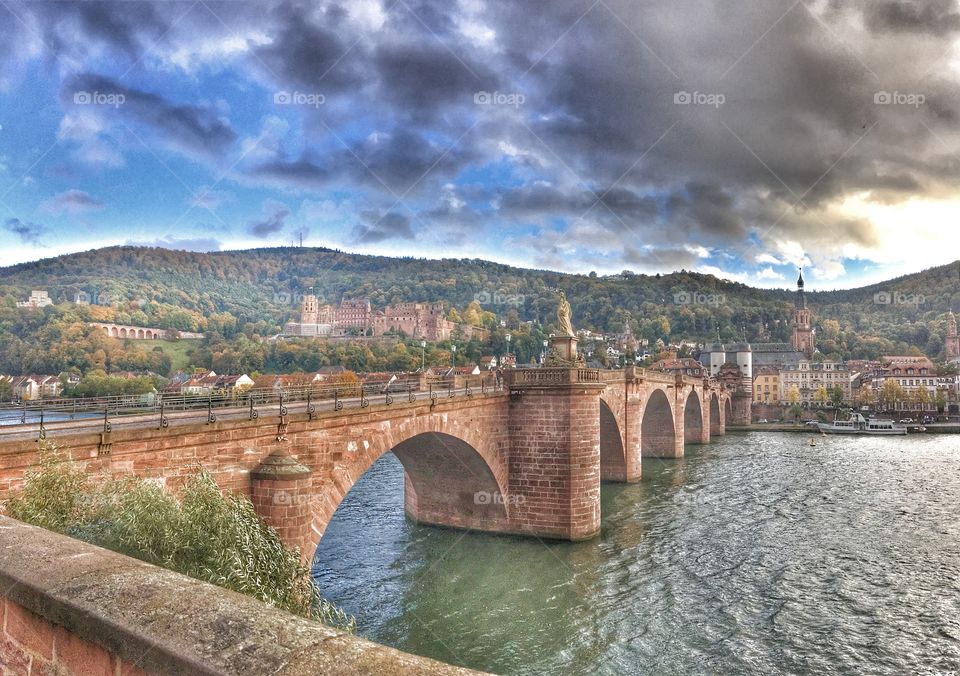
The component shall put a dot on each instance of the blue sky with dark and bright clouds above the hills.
(739, 138)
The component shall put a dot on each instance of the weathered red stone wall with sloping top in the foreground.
(71, 608)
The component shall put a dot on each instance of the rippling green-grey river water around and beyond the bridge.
(754, 554)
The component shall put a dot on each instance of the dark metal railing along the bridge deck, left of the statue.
(42, 411)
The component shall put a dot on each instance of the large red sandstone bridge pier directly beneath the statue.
(554, 429)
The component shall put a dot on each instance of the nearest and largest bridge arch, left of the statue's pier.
(453, 476)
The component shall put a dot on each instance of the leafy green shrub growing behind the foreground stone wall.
(200, 533)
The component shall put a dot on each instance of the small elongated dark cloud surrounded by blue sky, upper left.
(192, 129)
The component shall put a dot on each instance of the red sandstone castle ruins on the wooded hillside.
(357, 317)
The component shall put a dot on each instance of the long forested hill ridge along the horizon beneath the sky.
(184, 290)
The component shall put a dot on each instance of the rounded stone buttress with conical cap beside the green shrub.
(280, 491)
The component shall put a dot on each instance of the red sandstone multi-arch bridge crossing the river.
(528, 459)
